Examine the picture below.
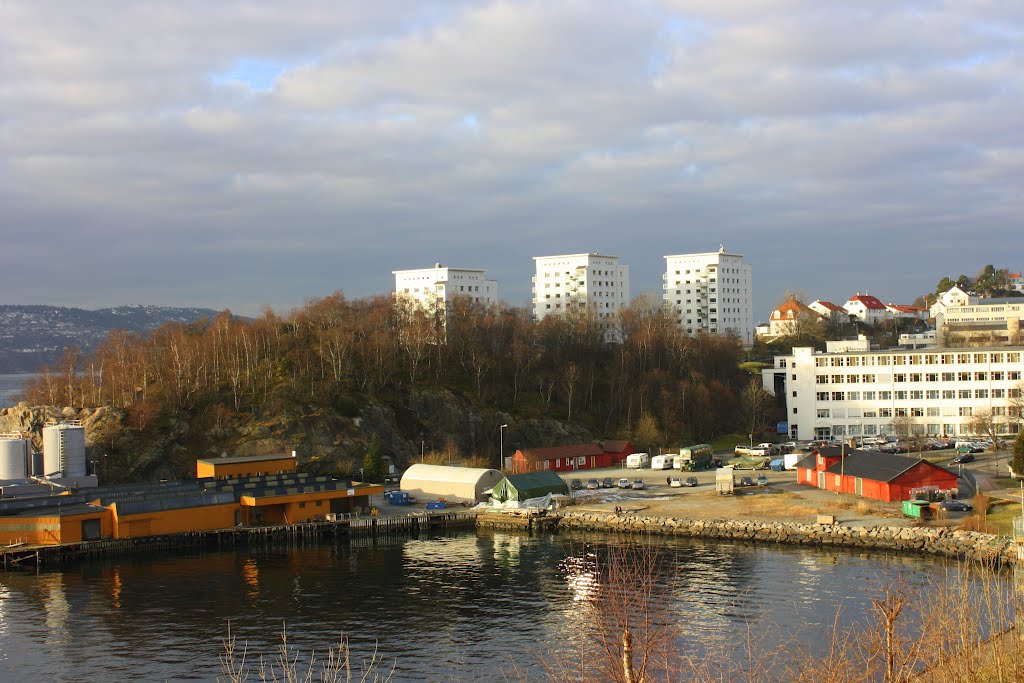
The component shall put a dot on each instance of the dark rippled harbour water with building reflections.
(458, 609)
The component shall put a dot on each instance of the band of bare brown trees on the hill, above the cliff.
(336, 353)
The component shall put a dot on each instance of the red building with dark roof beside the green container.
(877, 476)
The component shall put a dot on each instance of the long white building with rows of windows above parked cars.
(850, 391)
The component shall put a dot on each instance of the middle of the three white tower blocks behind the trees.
(579, 281)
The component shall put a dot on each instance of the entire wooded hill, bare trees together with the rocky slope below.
(325, 378)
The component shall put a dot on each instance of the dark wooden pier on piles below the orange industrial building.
(36, 558)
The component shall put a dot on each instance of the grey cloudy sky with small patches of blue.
(236, 155)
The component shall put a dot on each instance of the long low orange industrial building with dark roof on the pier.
(177, 507)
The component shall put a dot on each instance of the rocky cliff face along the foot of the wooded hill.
(433, 420)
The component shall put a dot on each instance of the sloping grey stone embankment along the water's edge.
(929, 541)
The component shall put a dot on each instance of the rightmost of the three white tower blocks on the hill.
(711, 293)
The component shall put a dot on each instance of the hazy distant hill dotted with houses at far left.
(36, 336)
